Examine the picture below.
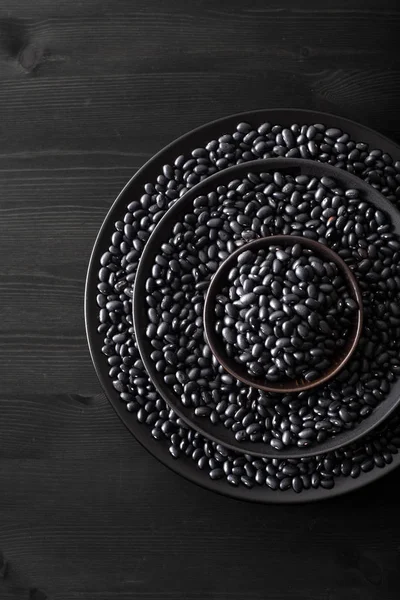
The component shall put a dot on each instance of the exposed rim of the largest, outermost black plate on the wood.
(185, 466)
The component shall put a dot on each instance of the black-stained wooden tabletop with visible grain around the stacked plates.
(88, 92)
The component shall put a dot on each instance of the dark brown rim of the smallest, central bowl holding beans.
(239, 371)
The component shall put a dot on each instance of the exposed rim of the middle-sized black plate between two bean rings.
(163, 232)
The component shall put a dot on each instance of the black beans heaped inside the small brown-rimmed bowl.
(285, 313)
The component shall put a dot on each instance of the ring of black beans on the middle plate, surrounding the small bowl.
(204, 237)
